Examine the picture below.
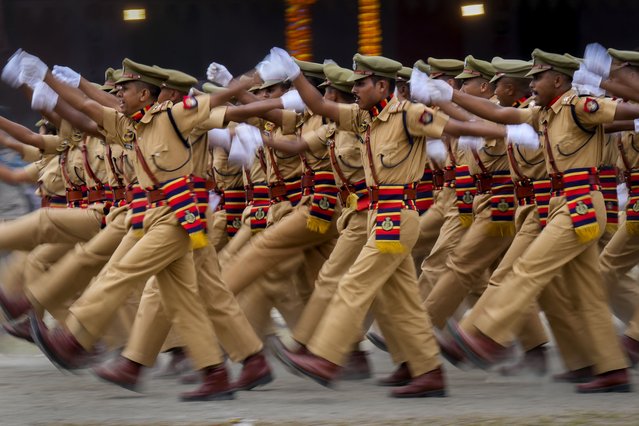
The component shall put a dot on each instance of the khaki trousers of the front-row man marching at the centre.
(391, 279)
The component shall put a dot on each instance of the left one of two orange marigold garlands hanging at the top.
(299, 38)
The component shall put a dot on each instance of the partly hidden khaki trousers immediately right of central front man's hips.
(450, 233)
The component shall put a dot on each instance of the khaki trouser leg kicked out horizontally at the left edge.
(50, 225)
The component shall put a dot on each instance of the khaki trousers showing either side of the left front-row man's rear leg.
(152, 326)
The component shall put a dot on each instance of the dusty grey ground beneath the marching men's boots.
(32, 391)
